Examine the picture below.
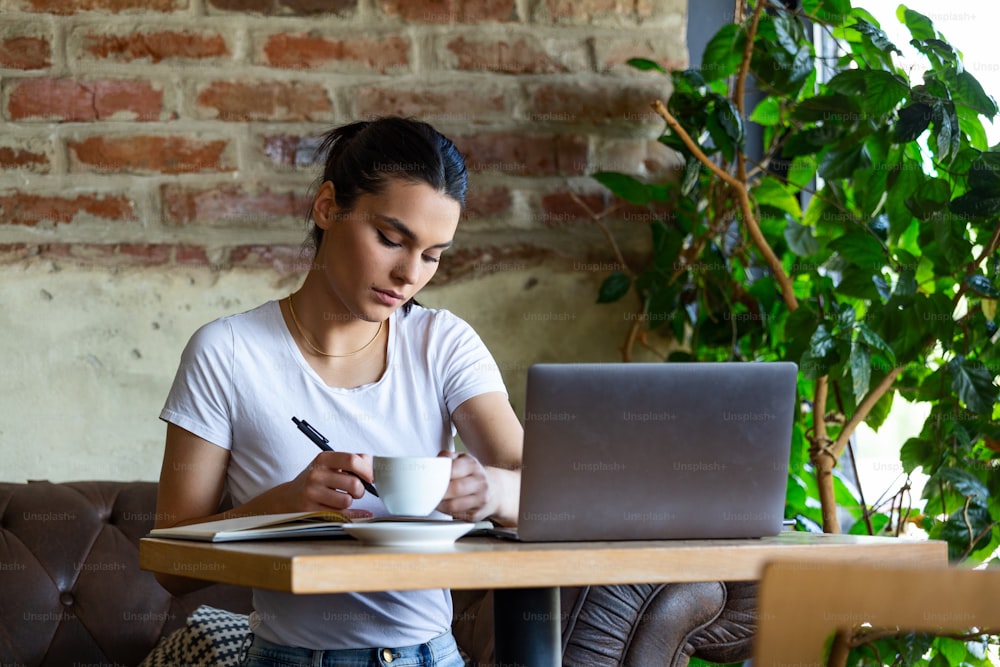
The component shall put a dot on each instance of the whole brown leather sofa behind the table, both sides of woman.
(71, 592)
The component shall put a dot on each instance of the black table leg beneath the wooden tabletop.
(527, 627)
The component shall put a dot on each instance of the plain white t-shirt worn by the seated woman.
(241, 380)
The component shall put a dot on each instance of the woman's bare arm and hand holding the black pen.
(193, 476)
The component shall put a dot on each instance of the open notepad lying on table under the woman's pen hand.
(280, 526)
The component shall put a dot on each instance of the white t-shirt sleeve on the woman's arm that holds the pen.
(200, 397)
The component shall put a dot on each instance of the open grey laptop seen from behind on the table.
(640, 451)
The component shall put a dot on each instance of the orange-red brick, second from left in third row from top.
(245, 101)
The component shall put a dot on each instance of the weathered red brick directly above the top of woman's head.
(457, 105)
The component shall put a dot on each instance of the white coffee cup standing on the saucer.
(411, 485)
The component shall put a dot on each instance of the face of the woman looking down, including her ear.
(380, 254)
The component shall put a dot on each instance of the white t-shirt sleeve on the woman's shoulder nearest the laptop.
(464, 364)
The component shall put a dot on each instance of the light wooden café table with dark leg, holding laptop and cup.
(526, 577)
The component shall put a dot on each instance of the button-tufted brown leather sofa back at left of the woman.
(71, 591)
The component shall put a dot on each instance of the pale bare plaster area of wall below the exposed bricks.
(89, 352)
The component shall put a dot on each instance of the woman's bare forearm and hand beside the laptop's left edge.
(487, 483)
